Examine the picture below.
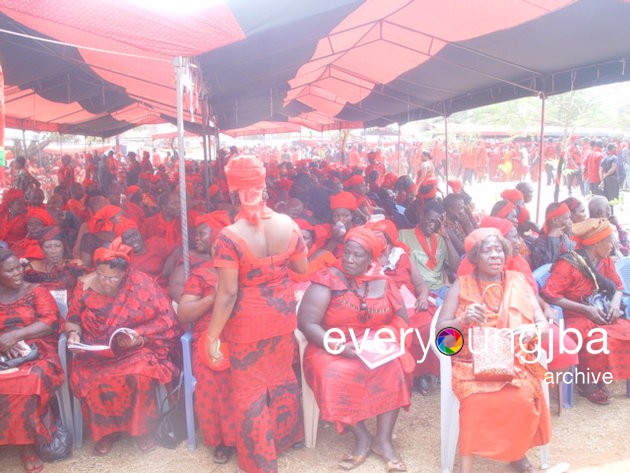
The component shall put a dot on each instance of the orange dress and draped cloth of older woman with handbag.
(500, 419)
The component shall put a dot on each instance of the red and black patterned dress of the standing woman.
(262, 350)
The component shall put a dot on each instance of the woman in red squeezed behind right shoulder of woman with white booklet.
(397, 265)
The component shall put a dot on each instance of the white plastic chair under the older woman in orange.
(449, 410)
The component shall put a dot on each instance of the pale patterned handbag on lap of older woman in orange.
(492, 352)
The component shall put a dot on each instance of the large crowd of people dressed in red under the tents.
(367, 248)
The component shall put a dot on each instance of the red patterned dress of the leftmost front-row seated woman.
(24, 398)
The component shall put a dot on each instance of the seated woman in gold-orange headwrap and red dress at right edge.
(576, 276)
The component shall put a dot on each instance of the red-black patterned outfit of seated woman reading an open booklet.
(117, 394)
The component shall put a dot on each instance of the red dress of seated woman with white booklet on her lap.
(346, 390)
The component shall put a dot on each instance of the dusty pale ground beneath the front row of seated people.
(592, 438)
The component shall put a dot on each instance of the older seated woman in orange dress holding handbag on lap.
(497, 419)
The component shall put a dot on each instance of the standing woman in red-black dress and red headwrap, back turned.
(254, 312)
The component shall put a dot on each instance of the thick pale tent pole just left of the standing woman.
(181, 66)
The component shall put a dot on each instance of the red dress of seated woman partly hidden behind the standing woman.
(214, 402)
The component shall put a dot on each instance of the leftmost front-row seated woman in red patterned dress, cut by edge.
(27, 313)
